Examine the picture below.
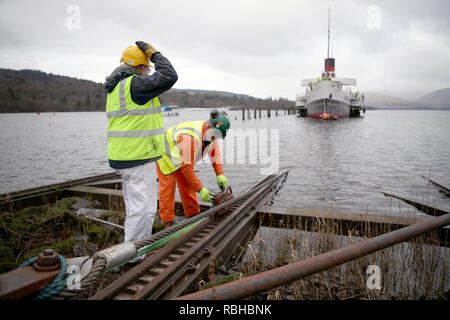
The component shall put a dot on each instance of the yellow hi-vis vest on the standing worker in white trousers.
(135, 132)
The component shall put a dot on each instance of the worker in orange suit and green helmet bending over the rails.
(185, 145)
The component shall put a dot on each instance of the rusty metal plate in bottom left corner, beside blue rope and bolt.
(22, 282)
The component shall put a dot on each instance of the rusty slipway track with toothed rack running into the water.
(176, 268)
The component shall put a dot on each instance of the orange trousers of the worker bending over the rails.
(167, 195)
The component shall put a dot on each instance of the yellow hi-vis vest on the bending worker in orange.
(171, 158)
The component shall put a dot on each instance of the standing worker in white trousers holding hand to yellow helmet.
(136, 131)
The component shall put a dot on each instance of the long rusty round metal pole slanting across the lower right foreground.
(274, 278)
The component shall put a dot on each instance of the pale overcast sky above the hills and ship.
(261, 48)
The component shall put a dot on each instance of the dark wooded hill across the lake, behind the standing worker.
(33, 91)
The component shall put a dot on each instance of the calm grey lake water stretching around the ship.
(341, 164)
